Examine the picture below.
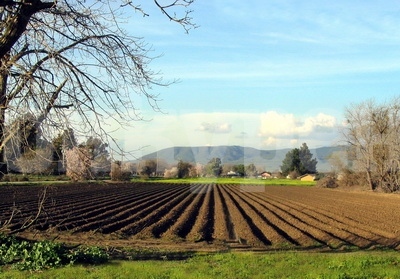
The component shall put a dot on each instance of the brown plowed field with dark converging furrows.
(232, 216)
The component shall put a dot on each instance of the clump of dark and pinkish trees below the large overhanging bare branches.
(29, 152)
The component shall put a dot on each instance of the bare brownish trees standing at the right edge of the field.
(372, 132)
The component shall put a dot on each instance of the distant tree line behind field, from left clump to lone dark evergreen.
(29, 152)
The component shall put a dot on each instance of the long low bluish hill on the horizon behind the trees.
(269, 159)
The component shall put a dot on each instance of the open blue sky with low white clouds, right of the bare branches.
(267, 74)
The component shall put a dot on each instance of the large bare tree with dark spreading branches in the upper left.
(68, 63)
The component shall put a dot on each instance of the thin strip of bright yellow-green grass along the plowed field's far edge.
(240, 181)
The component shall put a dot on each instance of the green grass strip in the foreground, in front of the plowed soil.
(370, 264)
